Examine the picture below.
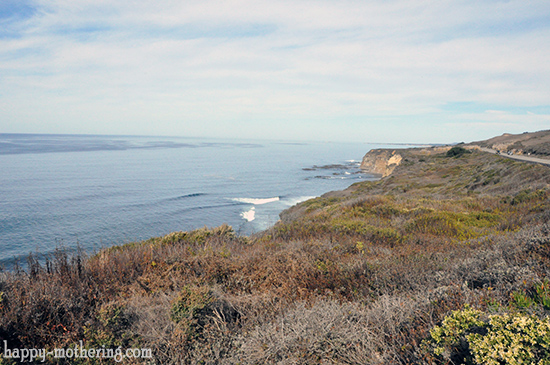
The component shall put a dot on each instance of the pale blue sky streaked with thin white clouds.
(416, 71)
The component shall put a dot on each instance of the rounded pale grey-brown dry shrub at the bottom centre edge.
(327, 332)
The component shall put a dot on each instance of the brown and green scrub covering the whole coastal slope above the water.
(445, 261)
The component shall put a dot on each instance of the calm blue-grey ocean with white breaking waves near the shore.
(97, 191)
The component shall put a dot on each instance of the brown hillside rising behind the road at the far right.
(536, 143)
